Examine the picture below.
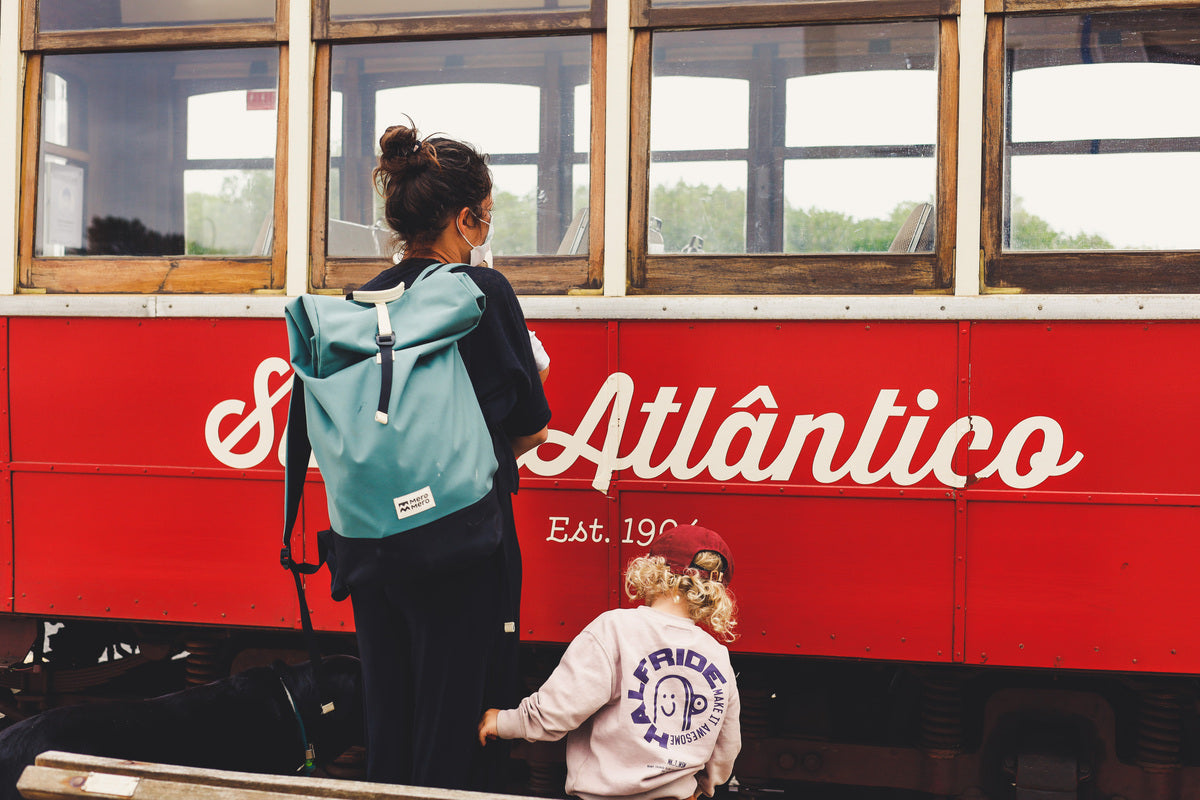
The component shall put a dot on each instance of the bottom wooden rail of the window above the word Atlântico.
(867, 274)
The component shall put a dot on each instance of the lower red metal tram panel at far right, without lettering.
(1083, 587)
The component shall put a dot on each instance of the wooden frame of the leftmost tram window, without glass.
(141, 274)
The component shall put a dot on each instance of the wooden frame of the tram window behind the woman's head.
(530, 275)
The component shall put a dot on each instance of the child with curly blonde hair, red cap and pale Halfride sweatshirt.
(646, 699)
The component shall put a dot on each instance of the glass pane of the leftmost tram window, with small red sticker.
(164, 154)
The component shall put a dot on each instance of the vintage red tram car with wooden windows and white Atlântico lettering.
(952, 441)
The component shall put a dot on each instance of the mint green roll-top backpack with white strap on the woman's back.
(383, 399)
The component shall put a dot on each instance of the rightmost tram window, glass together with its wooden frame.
(1093, 153)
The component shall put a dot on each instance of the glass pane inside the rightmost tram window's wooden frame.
(1105, 143)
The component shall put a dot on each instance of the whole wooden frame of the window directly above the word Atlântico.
(801, 274)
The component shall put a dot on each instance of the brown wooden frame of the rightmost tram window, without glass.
(1060, 272)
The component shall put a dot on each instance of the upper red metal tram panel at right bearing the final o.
(1123, 395)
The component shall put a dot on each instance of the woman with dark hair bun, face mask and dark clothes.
(439, 649)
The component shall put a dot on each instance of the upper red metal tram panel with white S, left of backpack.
(146, 393)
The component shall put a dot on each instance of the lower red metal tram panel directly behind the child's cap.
(823, 576)
